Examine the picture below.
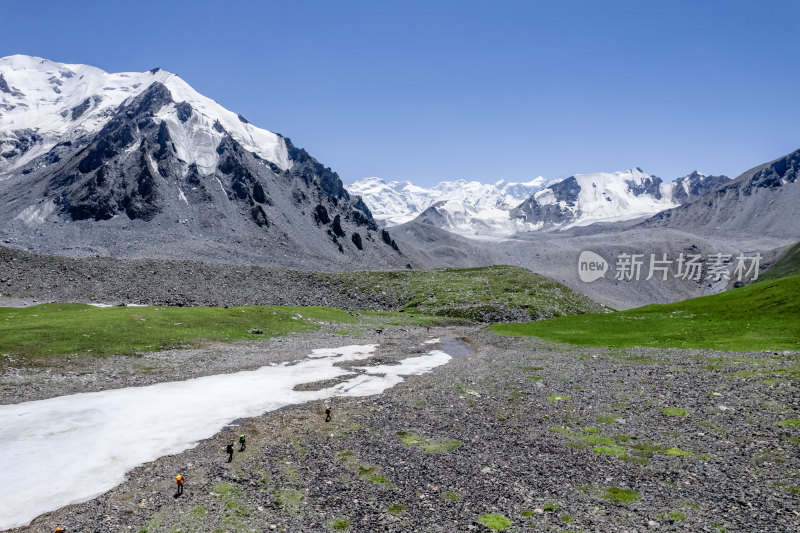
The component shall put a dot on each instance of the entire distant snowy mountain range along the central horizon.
(475, 209)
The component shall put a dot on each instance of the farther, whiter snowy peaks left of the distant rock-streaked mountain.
(467, 207)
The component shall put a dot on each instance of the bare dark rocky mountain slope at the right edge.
(765, 200)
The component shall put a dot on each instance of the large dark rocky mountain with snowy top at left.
(139, 163)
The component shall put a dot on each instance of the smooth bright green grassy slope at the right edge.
(761, 316)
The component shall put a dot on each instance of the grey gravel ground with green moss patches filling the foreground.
(534, 432)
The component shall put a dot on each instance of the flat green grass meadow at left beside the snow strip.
(52, 329)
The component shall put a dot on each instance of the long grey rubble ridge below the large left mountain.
(27, 278)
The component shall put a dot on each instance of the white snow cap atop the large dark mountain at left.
(43, 102)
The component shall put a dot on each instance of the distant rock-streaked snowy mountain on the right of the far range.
(585, 199)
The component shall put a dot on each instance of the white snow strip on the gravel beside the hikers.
(69, 449)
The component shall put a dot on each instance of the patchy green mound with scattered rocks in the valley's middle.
(487, 294)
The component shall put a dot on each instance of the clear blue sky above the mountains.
(481, 90)
